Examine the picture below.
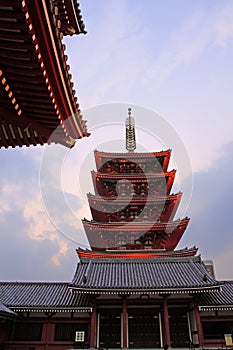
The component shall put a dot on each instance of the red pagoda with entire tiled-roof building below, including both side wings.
(132, 289)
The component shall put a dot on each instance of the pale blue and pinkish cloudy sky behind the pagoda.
(171, 62)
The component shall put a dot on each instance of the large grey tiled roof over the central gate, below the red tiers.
(173, 275)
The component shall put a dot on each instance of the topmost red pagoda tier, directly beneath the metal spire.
(144, 162)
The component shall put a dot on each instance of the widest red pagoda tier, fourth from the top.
(154, 235)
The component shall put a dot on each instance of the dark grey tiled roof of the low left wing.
(41, 296)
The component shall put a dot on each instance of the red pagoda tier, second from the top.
(152, 184)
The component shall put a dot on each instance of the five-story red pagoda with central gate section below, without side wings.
(143, 290)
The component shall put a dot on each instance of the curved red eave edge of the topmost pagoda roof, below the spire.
(103, 157)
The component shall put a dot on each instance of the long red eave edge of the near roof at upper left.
(45, 27)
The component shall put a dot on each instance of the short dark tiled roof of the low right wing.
(220, 300)
